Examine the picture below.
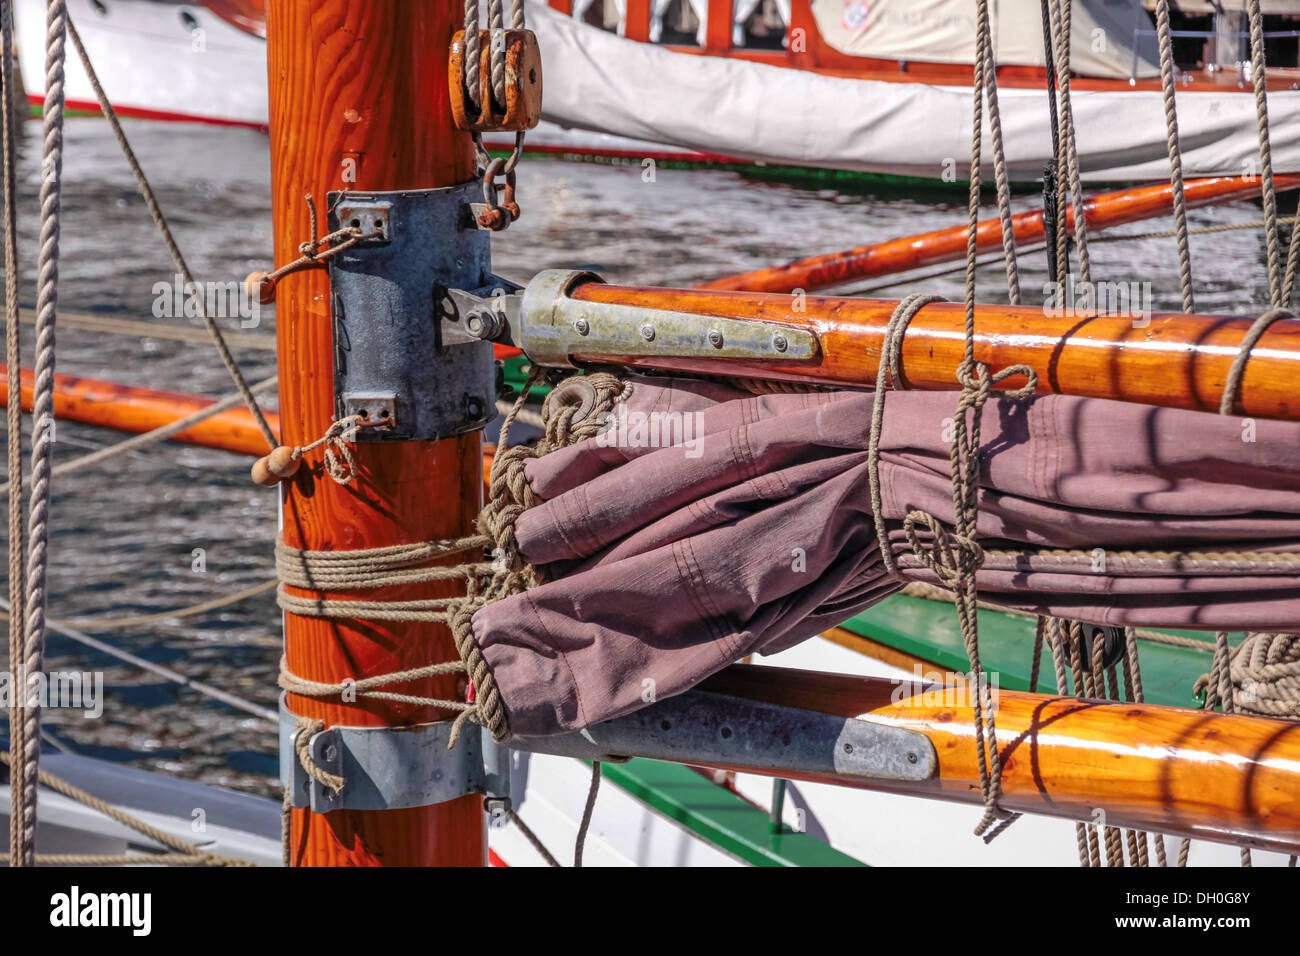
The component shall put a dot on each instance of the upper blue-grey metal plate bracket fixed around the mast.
(396, 349)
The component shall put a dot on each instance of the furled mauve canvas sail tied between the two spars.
(707, 525)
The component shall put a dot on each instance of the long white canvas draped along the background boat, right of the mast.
(601, 83)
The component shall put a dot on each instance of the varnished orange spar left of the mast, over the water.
(129, 409)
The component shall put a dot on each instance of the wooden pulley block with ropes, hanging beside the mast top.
(523, 106)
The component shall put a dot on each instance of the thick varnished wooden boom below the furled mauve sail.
(1172, 771)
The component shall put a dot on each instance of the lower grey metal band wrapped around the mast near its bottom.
(392, 768)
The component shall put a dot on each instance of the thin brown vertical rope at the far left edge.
(14, 403)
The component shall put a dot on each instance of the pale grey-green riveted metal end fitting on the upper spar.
(552, 328)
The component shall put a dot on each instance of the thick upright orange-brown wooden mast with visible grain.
(359, 101)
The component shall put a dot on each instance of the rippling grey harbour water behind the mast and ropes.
(125, 534)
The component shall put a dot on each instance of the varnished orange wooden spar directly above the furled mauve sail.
(1173, 361)
